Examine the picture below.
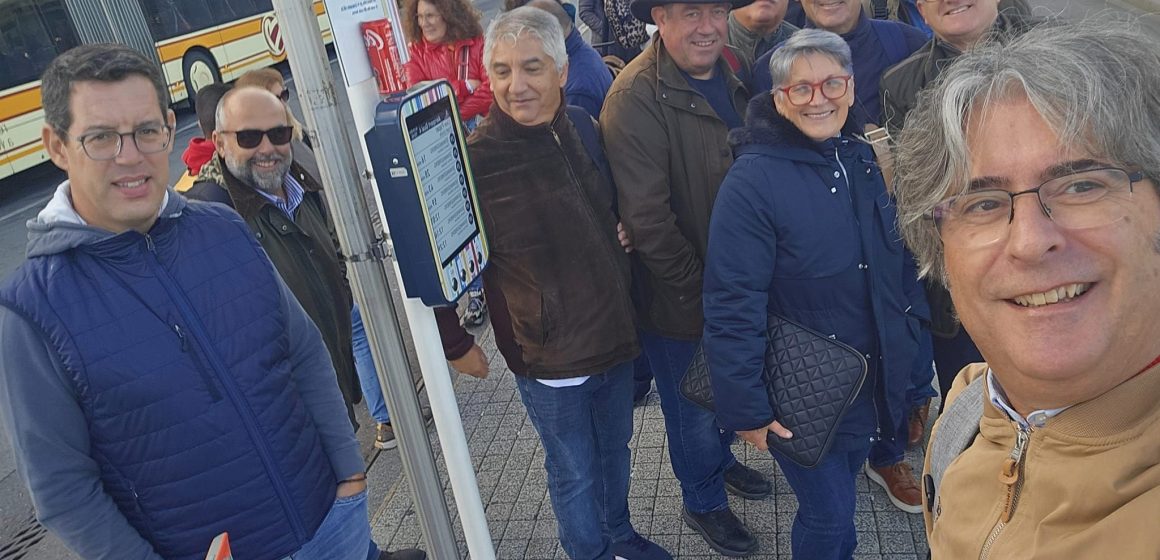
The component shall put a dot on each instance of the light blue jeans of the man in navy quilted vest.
(345, 534)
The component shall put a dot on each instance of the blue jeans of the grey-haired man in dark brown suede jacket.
(585, 431)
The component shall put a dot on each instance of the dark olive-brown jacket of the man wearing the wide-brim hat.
(669, 152)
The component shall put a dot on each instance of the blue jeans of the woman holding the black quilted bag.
(824, 526)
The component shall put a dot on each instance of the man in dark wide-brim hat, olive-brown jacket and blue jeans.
(665, 125)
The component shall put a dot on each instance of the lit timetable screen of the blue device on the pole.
(443, 178)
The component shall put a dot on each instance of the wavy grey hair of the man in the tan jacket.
(1096, 84)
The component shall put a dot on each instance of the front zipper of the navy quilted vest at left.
(234, 392)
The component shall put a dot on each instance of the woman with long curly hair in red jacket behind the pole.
(447, 42)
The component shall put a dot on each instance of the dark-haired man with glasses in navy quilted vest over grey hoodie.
(159, 382)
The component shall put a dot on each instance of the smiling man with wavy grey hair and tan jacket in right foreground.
(1028, 185)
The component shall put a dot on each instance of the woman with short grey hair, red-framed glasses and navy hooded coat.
(803, 229)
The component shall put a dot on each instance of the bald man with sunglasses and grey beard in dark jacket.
(280, 198)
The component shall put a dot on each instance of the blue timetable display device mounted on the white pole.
(427, 194)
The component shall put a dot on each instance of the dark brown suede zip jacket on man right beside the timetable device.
(555, 258)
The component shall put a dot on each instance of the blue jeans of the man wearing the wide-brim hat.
(699, 450)
